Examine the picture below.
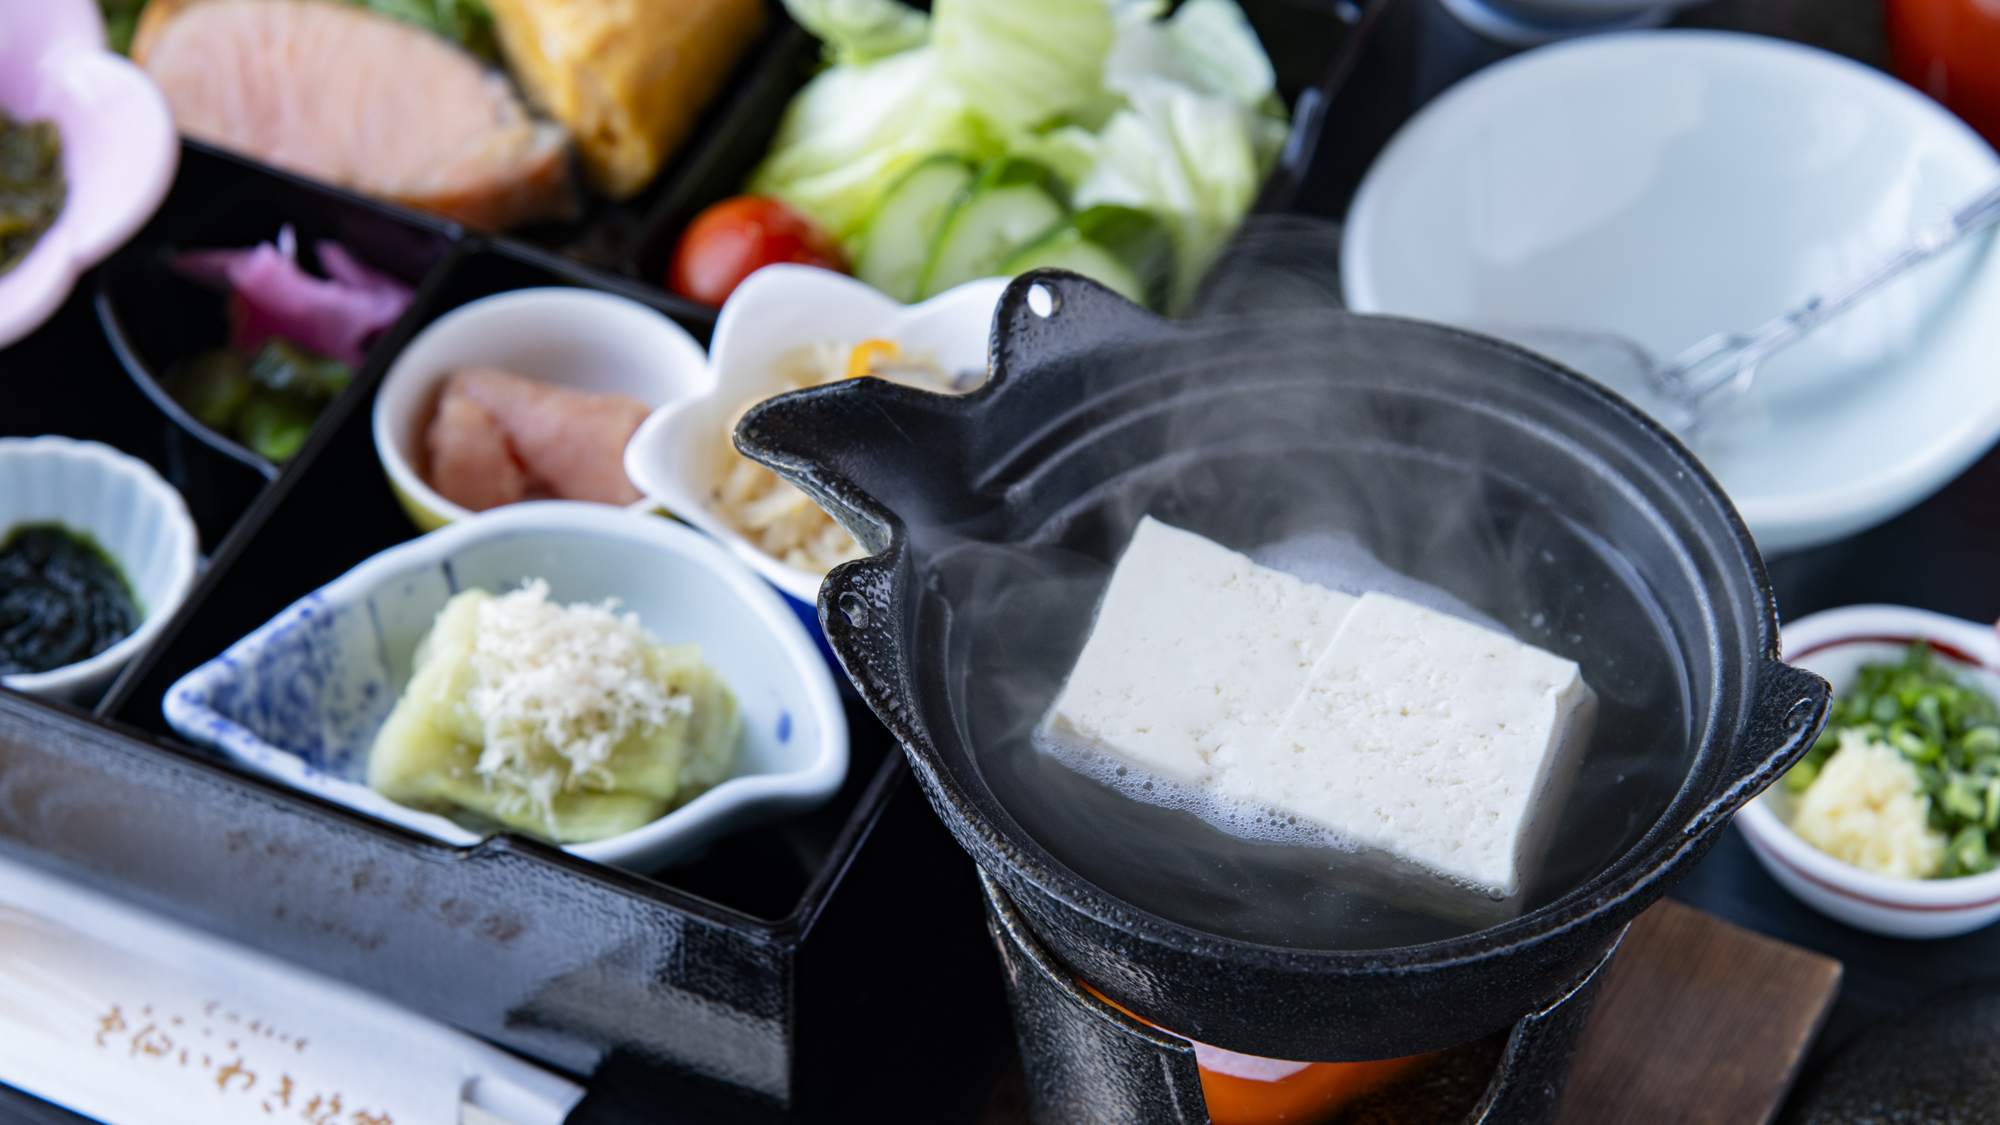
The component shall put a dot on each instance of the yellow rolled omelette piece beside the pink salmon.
(625, 77)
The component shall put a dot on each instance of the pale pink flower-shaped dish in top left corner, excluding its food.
(119, 147)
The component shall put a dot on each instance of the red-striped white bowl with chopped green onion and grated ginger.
(1893, 820)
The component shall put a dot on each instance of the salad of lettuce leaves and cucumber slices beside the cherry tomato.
(1001, 135)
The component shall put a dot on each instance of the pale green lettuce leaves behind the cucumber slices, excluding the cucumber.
(1173, 117)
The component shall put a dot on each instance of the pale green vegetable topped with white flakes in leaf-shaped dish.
(571, 724)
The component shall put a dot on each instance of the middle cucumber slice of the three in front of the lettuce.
(1011, 207)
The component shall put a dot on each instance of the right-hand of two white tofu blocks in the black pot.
(1431, 740)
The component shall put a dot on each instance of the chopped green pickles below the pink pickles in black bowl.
(267, 403)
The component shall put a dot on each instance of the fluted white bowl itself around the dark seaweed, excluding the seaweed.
(137, 517)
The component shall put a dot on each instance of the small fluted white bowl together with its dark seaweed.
(97, 553)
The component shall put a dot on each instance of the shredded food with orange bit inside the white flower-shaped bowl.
(769, 511)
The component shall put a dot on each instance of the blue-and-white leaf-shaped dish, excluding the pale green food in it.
(303, 698)
